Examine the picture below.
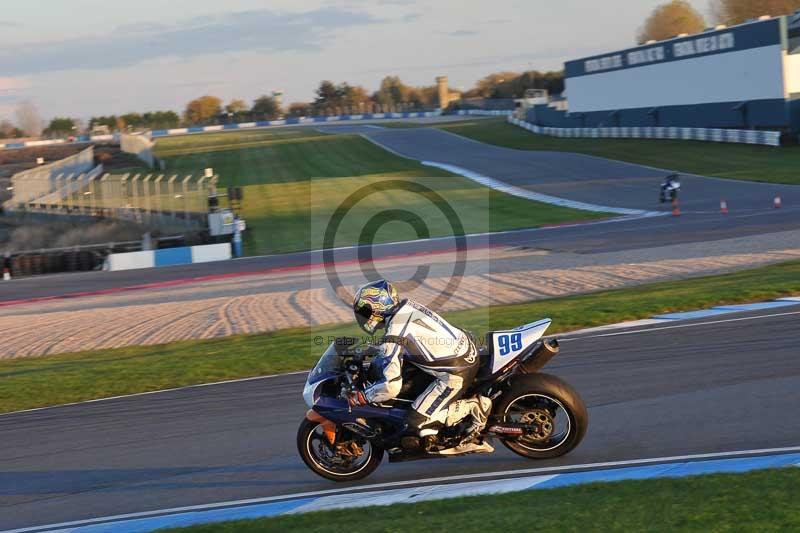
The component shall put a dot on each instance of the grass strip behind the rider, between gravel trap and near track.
(51, 380)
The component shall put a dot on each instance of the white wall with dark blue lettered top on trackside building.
(738, 64)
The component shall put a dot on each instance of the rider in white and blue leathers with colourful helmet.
(414, 334)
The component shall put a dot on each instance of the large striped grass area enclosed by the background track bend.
(294, 179)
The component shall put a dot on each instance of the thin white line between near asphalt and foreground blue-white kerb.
(483, 475)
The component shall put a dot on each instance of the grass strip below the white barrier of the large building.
(735, 161)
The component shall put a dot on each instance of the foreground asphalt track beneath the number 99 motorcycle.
(725, 384)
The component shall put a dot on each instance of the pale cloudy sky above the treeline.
(81, 58)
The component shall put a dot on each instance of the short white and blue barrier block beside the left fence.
(168, 257)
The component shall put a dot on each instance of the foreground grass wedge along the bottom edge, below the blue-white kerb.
(764, 500)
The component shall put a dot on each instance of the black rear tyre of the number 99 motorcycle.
(552, 387)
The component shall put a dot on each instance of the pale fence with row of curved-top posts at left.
(151, 200)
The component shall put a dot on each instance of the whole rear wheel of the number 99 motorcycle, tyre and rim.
(551, 407)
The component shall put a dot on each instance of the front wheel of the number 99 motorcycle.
(349, 458)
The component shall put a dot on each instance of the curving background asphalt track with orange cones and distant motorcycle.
(572, 176)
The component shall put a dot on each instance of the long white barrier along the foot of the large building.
(767, 138)
